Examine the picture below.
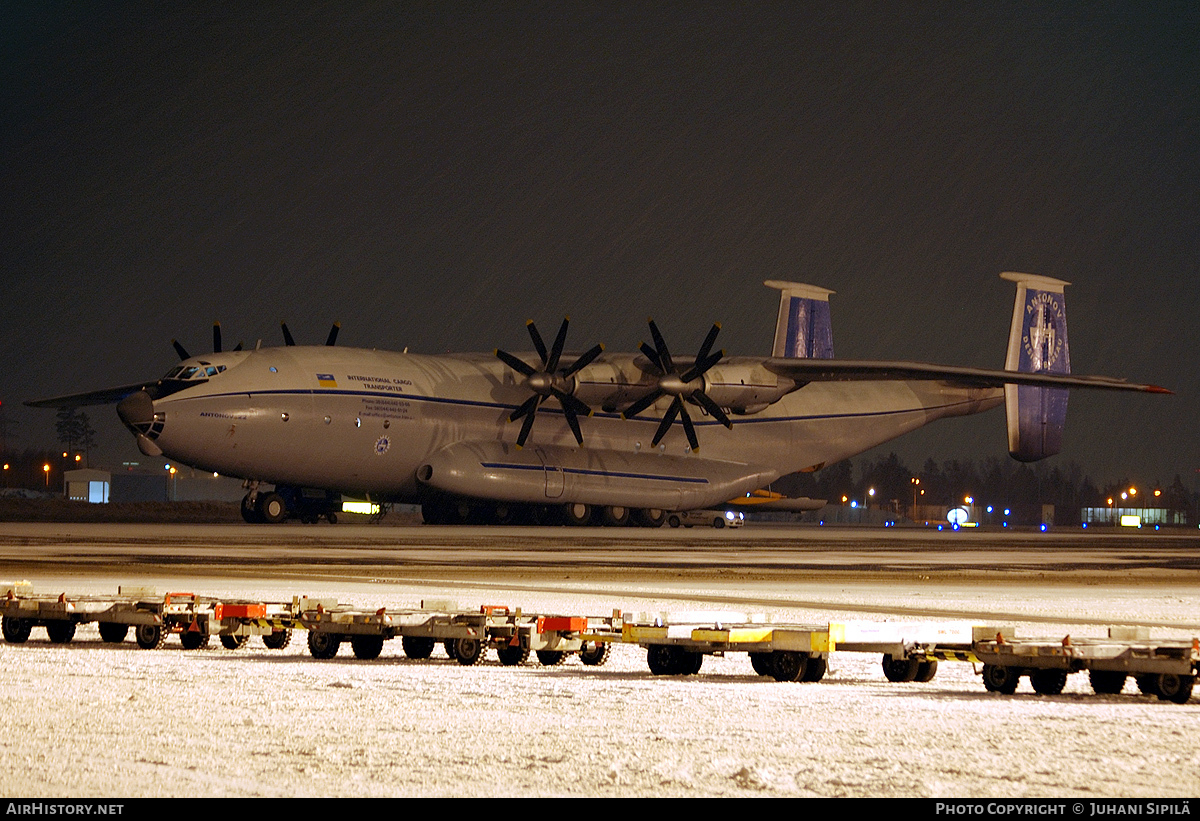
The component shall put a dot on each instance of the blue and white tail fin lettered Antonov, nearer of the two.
(1037, 344)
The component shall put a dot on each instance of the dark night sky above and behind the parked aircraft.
(433, 175)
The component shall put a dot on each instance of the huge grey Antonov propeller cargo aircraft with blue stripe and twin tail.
(597, 438)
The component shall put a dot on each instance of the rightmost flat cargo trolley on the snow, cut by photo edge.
(1161, 668)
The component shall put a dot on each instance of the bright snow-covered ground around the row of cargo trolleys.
(94, 721)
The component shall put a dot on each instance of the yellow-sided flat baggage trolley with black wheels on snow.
(676, 644)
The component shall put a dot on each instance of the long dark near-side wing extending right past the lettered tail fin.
(849, 370)
